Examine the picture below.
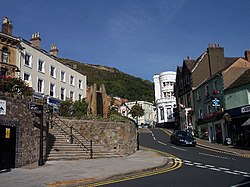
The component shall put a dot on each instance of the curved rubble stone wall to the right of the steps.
(113, 136)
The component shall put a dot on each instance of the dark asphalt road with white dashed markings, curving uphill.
(200, 167)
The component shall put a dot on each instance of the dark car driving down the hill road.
(182, 138)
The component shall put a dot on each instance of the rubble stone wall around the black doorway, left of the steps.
(27, 128)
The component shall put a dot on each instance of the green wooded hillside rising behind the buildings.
(116, 82)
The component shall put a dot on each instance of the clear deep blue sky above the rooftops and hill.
(138, 37)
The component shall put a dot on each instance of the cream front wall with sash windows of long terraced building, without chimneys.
(47, 76)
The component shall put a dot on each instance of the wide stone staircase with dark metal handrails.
(62, 147)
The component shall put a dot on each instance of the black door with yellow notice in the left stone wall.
(7, 146)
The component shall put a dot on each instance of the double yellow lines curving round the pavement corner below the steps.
(177, 163)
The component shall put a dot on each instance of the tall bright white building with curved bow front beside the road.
(164, 97)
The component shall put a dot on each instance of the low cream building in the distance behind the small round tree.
(149, 112)
